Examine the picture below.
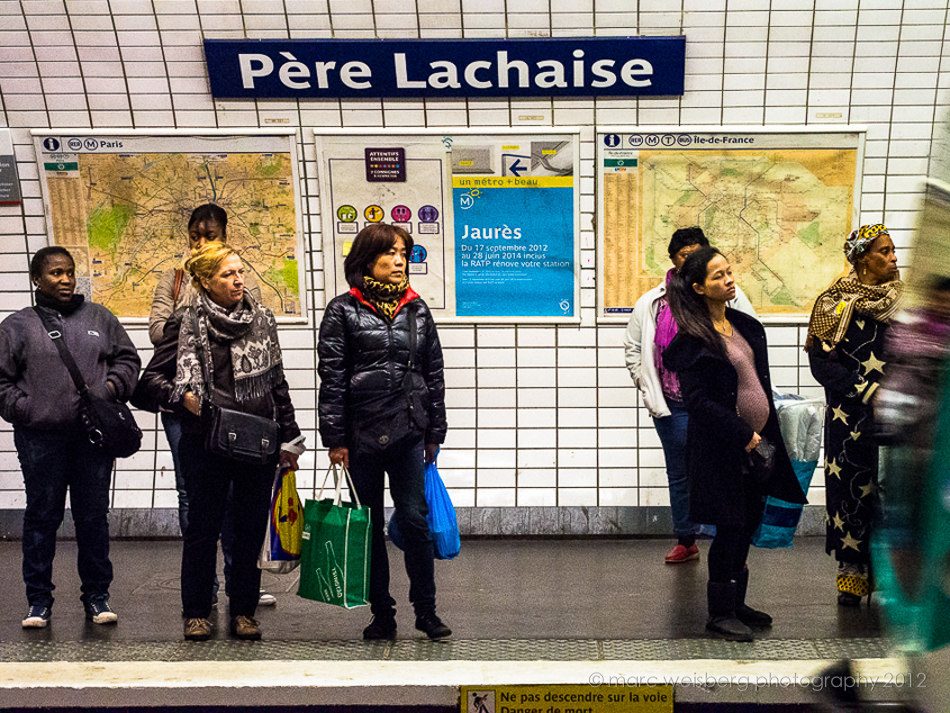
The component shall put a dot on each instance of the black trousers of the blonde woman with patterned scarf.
(208, 479)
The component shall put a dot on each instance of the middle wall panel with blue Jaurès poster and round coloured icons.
(493, 217)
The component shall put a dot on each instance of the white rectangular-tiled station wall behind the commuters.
(540, 415)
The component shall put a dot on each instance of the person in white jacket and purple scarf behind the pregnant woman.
(650, 331)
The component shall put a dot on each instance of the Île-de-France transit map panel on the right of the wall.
(778, 203)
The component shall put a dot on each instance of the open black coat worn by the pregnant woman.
(716, 436)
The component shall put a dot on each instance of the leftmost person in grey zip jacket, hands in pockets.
(38, 396)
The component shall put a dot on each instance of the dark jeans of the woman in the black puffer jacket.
(405, 463)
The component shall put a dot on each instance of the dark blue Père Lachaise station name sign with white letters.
(325, 69)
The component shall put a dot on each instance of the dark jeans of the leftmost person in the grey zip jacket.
(52, 463)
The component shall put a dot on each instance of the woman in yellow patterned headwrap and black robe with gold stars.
(845, 348)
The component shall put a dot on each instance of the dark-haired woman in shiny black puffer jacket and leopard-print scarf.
(382, 410)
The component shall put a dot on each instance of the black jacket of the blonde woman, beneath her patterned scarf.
(157, 382)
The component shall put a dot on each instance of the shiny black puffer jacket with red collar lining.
(368, 397)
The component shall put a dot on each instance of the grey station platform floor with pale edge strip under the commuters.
(522, 612)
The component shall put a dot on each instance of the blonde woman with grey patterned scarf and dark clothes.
(221, 352)
